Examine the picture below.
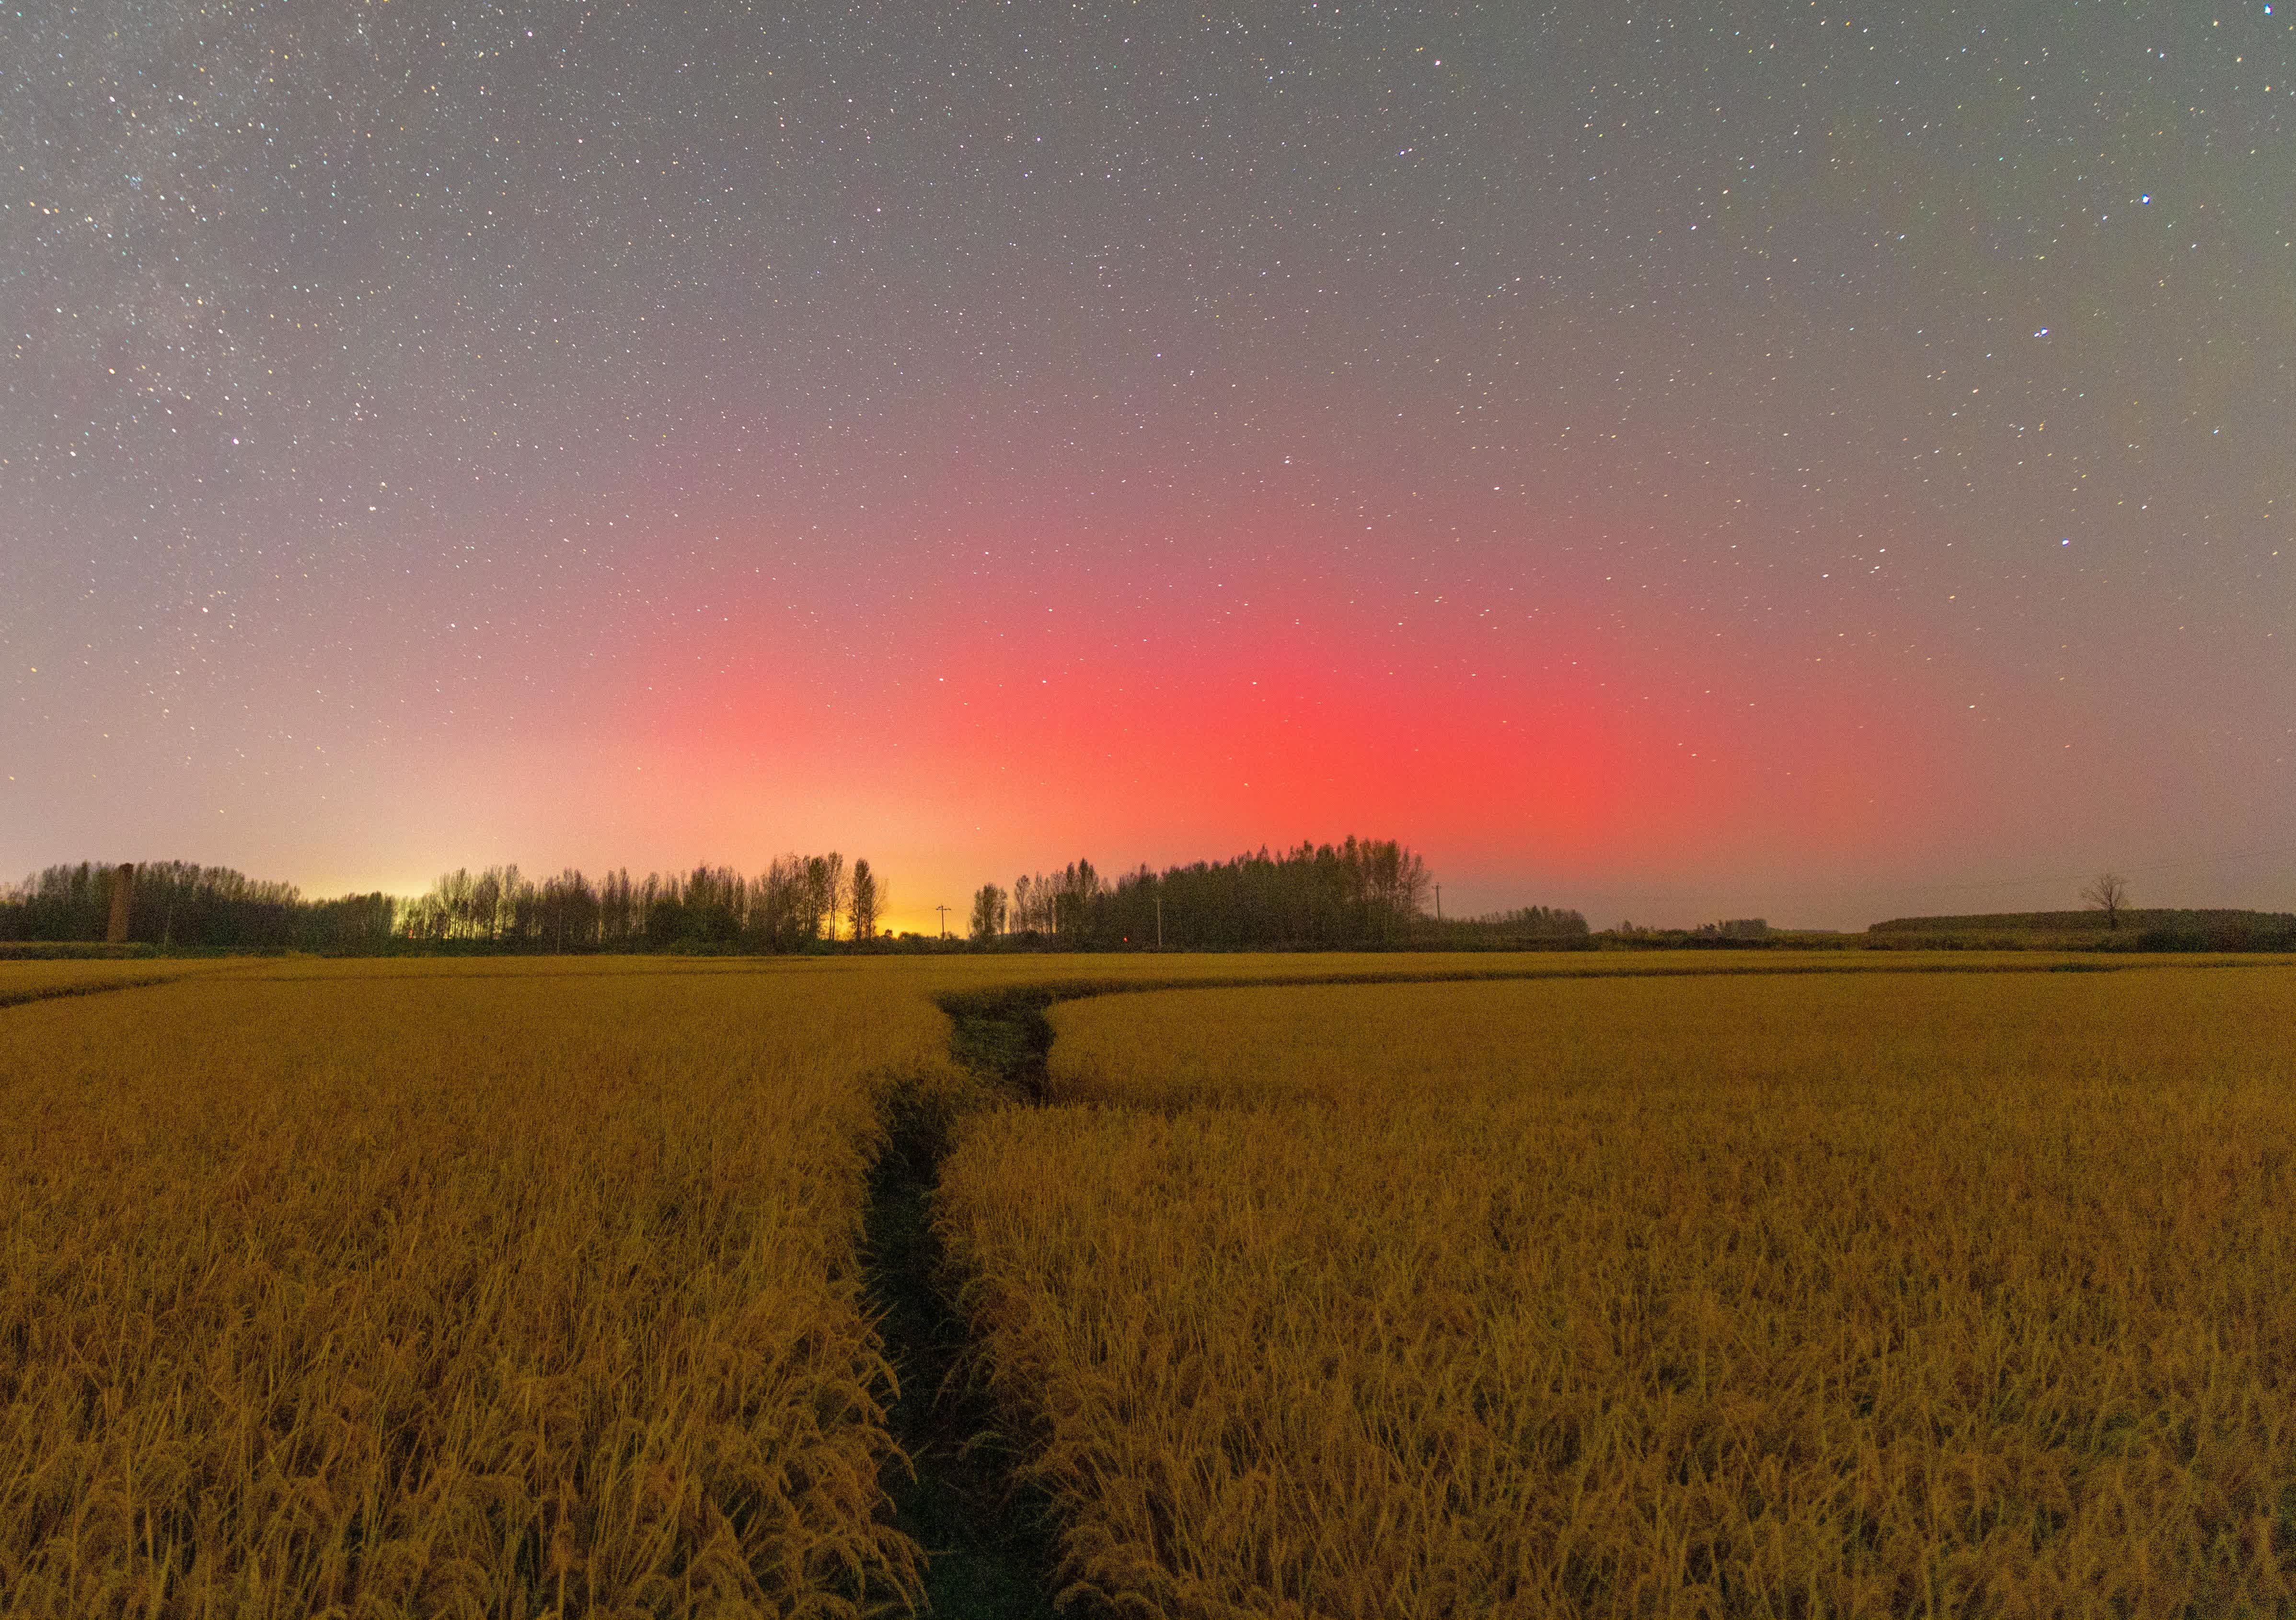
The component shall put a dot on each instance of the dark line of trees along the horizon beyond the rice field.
(1312, 897)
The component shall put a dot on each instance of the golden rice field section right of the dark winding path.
(1742, 1295)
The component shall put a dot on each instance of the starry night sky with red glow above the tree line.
(1799, 461)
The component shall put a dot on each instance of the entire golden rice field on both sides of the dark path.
(1574, 1286)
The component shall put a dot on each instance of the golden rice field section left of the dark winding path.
(447, 1290)
